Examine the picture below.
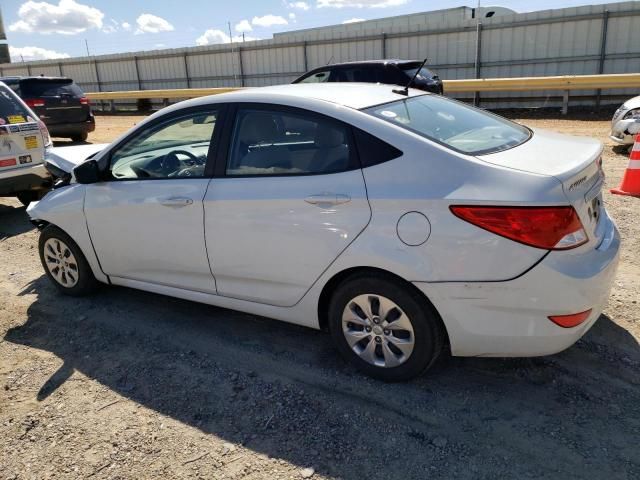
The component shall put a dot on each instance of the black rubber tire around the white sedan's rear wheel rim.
(428, 333)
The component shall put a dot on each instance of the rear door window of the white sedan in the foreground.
(274, 142)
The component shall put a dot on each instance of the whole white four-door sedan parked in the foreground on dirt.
(403, 224)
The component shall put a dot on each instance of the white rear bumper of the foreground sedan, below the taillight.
(504, 319)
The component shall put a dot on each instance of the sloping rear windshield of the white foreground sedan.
(453, 124)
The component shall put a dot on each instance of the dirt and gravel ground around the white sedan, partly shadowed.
(128, 384)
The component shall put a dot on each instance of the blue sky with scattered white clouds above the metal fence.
(44, 29)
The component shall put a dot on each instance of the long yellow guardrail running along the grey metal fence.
(567, 82)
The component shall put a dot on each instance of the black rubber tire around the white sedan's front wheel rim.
(86, 282)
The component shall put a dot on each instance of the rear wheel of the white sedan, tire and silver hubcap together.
(385, 328)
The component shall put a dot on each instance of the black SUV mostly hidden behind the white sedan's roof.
(392, 72)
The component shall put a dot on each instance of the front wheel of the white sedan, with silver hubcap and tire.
(64, 263)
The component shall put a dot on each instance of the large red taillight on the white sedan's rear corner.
(551, 228)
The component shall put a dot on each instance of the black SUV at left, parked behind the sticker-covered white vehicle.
(59, 103)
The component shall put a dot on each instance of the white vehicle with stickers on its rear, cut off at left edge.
(24, 141)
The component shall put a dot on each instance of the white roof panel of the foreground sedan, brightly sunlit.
(352, 95)
